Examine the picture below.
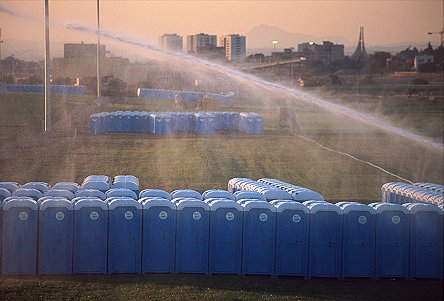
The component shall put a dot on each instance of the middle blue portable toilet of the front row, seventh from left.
(225, 249)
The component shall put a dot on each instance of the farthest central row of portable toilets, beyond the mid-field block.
(190, 96)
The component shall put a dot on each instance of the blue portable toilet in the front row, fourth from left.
(125, 236)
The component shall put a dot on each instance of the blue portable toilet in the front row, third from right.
(358, 248)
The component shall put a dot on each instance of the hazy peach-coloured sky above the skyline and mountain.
(385, 22)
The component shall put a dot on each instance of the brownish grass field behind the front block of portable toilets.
(69, 153)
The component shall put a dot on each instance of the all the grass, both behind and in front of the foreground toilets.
(69, 153)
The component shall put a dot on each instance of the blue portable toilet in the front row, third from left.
(90, 236)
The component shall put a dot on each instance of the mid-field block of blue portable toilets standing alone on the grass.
(165, 123)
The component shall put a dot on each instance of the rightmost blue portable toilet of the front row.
(426, 241)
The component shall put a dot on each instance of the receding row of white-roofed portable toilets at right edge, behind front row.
(400, 193)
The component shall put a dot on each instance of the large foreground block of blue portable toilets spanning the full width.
(124, 230)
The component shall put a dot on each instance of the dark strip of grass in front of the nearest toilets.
(216, 287)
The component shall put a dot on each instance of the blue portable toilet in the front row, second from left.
(55, 237)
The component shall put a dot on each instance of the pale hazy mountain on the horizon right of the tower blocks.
(261, 36)
